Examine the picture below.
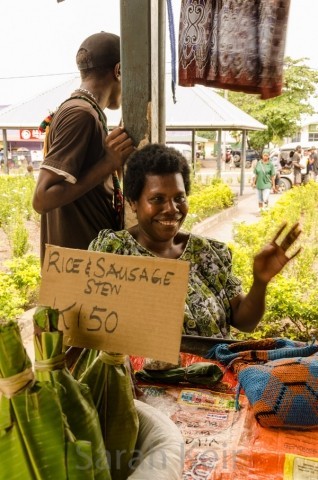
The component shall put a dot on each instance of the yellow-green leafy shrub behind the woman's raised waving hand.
(292, 300)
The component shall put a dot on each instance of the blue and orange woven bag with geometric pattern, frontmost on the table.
(283, 393)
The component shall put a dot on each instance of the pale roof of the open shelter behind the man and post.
(198, 108)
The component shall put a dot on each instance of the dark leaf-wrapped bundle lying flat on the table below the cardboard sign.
(200, 373)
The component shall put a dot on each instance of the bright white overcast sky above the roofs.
(40, 38)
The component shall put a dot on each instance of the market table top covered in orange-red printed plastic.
(222, 443)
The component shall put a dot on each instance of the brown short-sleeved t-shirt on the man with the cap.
(76, 142)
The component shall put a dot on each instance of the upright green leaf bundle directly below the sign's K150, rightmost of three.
(110, 385)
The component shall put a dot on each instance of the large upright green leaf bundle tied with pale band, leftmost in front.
(35, 443)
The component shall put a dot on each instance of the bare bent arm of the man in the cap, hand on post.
(52, 190)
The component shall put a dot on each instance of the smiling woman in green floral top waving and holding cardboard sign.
(156, 184)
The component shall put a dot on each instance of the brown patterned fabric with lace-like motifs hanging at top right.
(233, 44)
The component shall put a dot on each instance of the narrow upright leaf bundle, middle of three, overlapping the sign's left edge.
(75, 397)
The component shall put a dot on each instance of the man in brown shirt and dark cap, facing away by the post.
(77, 181)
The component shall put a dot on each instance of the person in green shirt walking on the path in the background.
(264, 180)
